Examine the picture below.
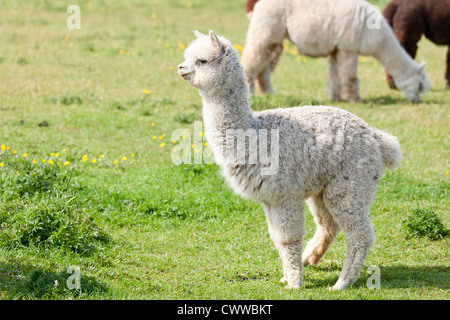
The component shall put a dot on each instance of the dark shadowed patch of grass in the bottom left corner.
(19, 280)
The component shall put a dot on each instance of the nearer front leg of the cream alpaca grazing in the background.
(347, 63)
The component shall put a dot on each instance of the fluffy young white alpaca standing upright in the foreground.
(325, 154)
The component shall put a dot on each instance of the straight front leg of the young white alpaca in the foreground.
(285, 221)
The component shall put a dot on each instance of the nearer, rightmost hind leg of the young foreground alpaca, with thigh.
(350, 206)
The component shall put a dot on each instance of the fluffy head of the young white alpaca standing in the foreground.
(210, 62)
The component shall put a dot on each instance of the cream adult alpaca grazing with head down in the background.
(340, 29)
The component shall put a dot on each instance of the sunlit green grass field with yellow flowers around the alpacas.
(87, 180)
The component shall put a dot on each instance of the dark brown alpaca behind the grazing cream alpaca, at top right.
(410, 19)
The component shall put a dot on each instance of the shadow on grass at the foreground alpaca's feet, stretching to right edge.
(392, 277)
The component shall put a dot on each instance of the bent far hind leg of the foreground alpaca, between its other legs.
(327, 229)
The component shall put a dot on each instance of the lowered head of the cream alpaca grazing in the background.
(415, 85)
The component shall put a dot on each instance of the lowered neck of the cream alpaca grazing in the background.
(395, 59)
